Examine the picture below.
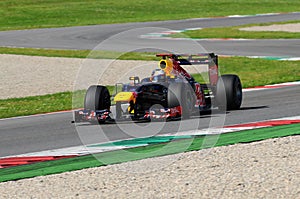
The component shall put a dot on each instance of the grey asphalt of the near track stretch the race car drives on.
(52, 131)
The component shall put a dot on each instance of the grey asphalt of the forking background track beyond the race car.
(126, 37)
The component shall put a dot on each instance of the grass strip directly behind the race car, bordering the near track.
(253, 72)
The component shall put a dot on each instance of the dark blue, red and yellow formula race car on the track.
(170, 92)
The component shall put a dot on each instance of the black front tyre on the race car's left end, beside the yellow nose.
(97, 97)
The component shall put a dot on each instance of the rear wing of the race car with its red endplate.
(209, 59)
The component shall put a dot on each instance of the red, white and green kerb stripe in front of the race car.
(137, 142)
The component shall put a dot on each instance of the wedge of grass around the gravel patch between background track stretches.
(234, 32)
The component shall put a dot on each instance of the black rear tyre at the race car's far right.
(229, 92)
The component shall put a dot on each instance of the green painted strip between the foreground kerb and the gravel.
(175, 146)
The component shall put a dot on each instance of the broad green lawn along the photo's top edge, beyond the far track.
(27, 14)
